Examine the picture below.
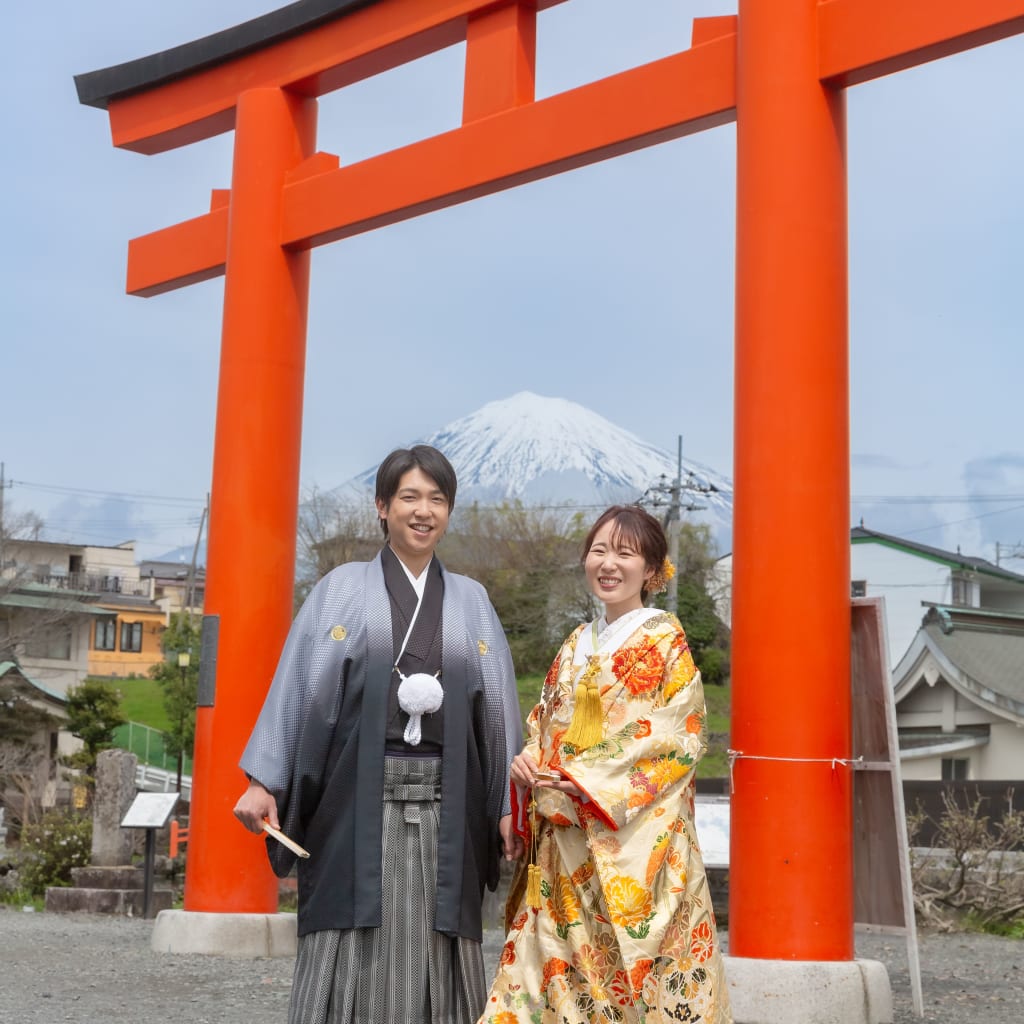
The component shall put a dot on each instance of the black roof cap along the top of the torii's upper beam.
(98, 89)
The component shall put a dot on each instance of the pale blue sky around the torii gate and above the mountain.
(612, 286)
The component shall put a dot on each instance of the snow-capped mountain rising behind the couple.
(557, 453)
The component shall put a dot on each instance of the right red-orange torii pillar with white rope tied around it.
(791, 669)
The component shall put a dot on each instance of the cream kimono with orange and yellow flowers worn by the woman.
(626, 931)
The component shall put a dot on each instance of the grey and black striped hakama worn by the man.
(403, 972)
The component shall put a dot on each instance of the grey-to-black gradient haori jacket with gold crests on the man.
(320, 741)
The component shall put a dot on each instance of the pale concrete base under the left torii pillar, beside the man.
(242, 935)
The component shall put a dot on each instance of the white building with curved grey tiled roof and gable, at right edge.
(960, 697)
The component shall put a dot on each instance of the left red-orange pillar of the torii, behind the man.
(251, 557)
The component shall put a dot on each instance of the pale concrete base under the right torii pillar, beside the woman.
(765, 992)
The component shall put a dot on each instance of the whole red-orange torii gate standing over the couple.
(779, 69)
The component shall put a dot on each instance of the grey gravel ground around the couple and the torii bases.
(99, 970)
